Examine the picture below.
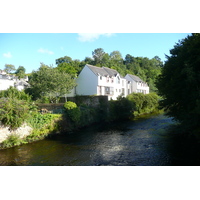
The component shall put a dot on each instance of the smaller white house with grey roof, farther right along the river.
(137, 84)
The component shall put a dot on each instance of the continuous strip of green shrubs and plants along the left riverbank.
(17, 108)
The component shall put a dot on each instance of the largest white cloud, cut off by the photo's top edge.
(90, 37)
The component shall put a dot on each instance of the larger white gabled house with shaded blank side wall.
(94, 80)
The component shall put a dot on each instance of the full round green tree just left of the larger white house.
(50, 82)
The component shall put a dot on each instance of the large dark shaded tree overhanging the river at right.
(179, 83)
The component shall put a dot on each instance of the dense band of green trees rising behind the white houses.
(147, 69)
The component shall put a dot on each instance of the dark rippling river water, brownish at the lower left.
(146, 141)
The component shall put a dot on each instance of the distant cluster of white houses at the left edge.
(7, 81)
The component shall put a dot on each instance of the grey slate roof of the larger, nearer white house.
(103, 71)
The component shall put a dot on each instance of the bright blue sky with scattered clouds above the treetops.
(29, 49)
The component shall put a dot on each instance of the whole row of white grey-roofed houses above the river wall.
(104, 81)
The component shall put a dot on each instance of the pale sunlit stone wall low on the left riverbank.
(22, 131)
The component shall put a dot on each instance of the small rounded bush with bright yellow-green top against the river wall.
(72, 111)
